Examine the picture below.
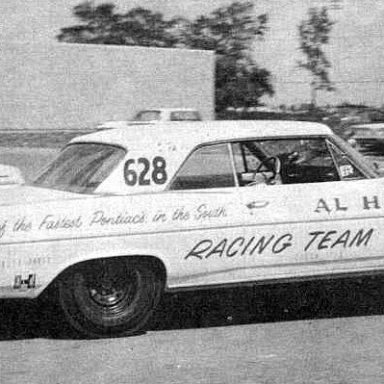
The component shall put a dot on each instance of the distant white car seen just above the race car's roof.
(154, 116)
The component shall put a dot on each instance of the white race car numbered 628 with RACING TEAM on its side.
(122, 216)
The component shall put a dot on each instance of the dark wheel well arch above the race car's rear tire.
(150, 261)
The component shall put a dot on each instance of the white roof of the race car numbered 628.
(187, 135)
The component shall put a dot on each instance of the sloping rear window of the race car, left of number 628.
(81, 168)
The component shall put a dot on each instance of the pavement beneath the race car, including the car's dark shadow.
(313, 333)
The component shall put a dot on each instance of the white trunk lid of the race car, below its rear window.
(25, 194)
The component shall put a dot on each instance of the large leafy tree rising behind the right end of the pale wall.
(230, 32)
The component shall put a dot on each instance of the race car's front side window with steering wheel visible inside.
(284, 161)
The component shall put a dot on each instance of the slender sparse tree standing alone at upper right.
(314, 34)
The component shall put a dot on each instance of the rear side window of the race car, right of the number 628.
(207, 167)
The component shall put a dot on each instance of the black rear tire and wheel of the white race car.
(109, 297)
